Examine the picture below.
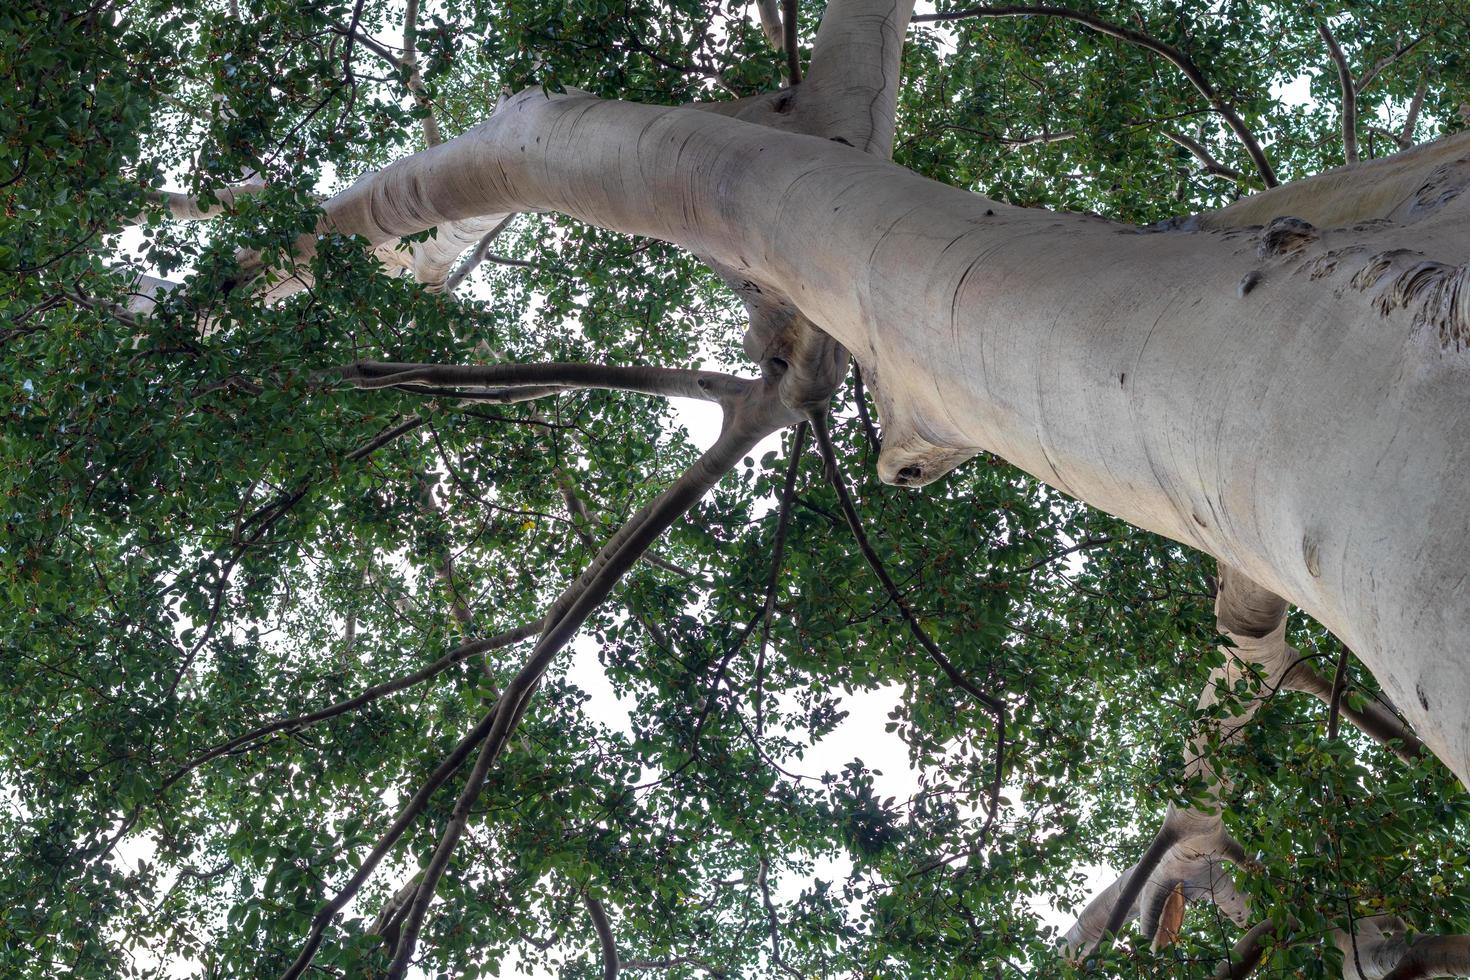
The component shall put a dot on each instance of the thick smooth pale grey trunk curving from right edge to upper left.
(1286, 402)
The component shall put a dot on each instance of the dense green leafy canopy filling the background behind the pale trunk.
(215, 534)
